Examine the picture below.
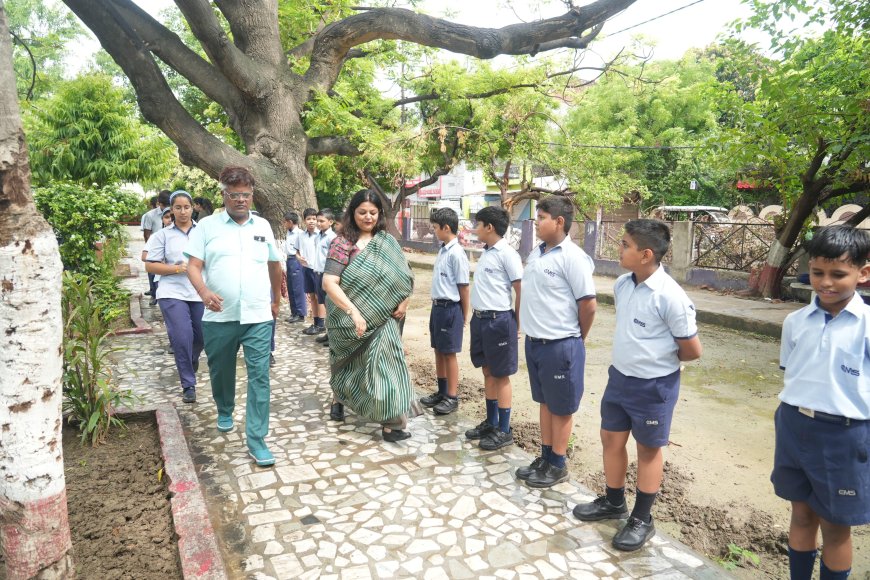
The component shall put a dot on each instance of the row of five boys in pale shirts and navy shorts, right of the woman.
(822, 425)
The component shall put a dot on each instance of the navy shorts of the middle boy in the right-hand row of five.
(556, 372)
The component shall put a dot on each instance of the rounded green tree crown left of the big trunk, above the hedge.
(86, 133)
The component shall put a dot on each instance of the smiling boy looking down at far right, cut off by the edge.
(820, 461)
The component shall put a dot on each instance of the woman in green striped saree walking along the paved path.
(368, 284)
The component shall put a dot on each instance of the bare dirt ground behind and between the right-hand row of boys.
(717, 489)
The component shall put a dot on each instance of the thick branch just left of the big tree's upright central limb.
(240, 69)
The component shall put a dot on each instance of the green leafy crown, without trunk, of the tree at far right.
(810, 105)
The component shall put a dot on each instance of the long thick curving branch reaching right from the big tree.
(333, 43)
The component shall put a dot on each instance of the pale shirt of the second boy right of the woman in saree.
(498, 268)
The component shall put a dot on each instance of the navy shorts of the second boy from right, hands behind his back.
(643, 406)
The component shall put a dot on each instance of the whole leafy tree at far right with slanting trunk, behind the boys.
(807, 131)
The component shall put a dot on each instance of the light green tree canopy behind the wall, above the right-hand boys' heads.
(668, 107)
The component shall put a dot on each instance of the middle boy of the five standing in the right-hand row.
(557, 311)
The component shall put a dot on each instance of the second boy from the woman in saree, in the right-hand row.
(494, 325)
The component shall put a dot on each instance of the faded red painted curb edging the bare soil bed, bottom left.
(197, 543)
